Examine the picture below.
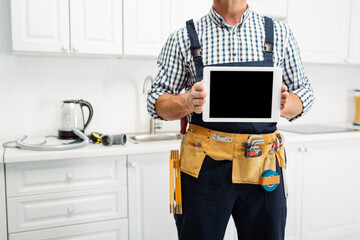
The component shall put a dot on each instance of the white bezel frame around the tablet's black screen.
(276, 94)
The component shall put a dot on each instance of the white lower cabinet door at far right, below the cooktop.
(330, 201)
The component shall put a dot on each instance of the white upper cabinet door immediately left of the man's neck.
(183, 10)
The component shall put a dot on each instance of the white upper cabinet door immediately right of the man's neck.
(271, 8)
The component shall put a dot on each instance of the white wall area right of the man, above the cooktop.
(333, 86)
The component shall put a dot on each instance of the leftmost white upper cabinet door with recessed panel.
(40, 25)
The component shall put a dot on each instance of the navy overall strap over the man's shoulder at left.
(195, 49)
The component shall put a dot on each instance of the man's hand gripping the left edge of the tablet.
(196, 97)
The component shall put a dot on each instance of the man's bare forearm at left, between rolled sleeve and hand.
(172, 107)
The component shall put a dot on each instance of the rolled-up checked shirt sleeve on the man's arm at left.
(171, 76)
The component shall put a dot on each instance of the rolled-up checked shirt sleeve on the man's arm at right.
(294, 76)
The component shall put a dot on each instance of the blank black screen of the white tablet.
(240, 94)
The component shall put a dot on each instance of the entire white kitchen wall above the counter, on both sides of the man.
(32, 88)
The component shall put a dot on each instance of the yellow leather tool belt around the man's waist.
(199, 142)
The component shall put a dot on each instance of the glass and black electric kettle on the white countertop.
(72, 116)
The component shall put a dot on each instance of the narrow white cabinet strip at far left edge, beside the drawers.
(3, 222)
